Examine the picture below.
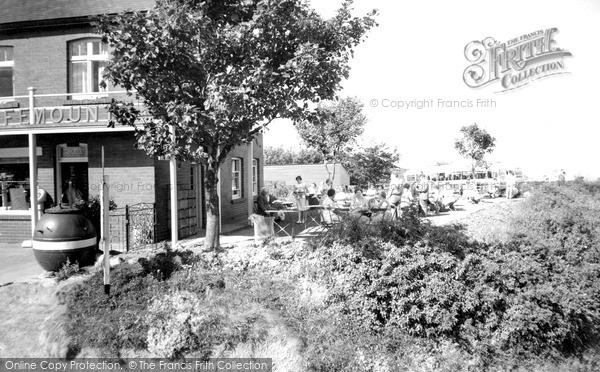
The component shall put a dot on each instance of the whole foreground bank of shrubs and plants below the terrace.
(379, 297)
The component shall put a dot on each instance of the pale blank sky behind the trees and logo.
(417, 54)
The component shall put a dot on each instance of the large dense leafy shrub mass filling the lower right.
(537, 295)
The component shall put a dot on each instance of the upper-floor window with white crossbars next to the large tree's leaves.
(87, 60)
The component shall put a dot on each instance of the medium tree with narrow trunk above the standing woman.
(332, 129)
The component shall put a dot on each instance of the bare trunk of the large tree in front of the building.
(211, 241)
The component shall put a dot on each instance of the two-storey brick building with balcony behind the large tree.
(53, 107)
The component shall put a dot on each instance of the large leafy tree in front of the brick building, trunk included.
(218, 72)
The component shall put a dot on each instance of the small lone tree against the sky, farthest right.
(474, 144)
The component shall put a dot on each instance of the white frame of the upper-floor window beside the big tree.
(88, 60)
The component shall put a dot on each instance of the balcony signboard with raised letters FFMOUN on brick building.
(55, 116)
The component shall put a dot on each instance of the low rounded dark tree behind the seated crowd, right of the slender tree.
(371, 164)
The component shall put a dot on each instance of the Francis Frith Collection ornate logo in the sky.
(516, 62)
